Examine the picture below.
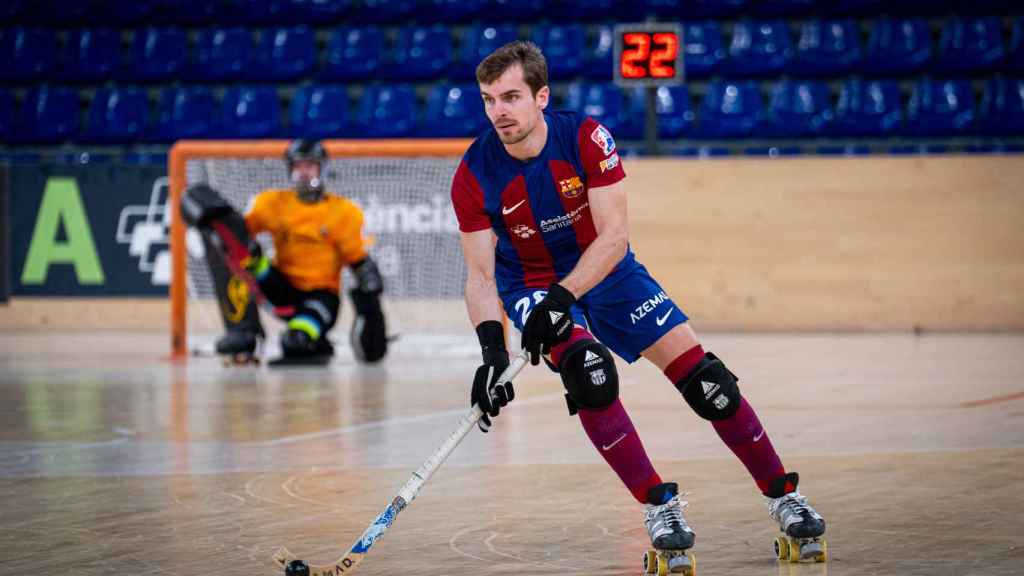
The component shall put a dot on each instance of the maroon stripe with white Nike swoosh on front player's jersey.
(538, 269)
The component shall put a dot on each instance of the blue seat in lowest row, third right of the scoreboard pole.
(799, 109)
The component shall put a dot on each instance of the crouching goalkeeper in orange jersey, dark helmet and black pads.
(316, 234)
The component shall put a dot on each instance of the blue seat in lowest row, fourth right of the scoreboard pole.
(869, 109)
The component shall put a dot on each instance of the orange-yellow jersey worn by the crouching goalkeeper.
(312, 242)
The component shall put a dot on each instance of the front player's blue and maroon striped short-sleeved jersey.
(539, 210)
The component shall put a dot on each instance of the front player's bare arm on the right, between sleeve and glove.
(609, 207)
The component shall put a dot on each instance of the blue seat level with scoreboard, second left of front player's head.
(420, 54)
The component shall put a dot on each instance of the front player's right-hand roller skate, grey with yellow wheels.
(802, 527)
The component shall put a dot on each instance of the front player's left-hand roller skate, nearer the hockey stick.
(670, 536)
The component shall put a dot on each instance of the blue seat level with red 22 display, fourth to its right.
(898, 47)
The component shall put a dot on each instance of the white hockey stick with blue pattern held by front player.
(385, 521)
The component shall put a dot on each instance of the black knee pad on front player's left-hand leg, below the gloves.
(589, 376)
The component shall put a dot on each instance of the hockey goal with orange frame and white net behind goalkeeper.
(404, 190)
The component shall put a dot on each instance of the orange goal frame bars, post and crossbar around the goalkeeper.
(184, 151)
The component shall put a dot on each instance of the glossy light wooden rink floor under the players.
(114, 461)
